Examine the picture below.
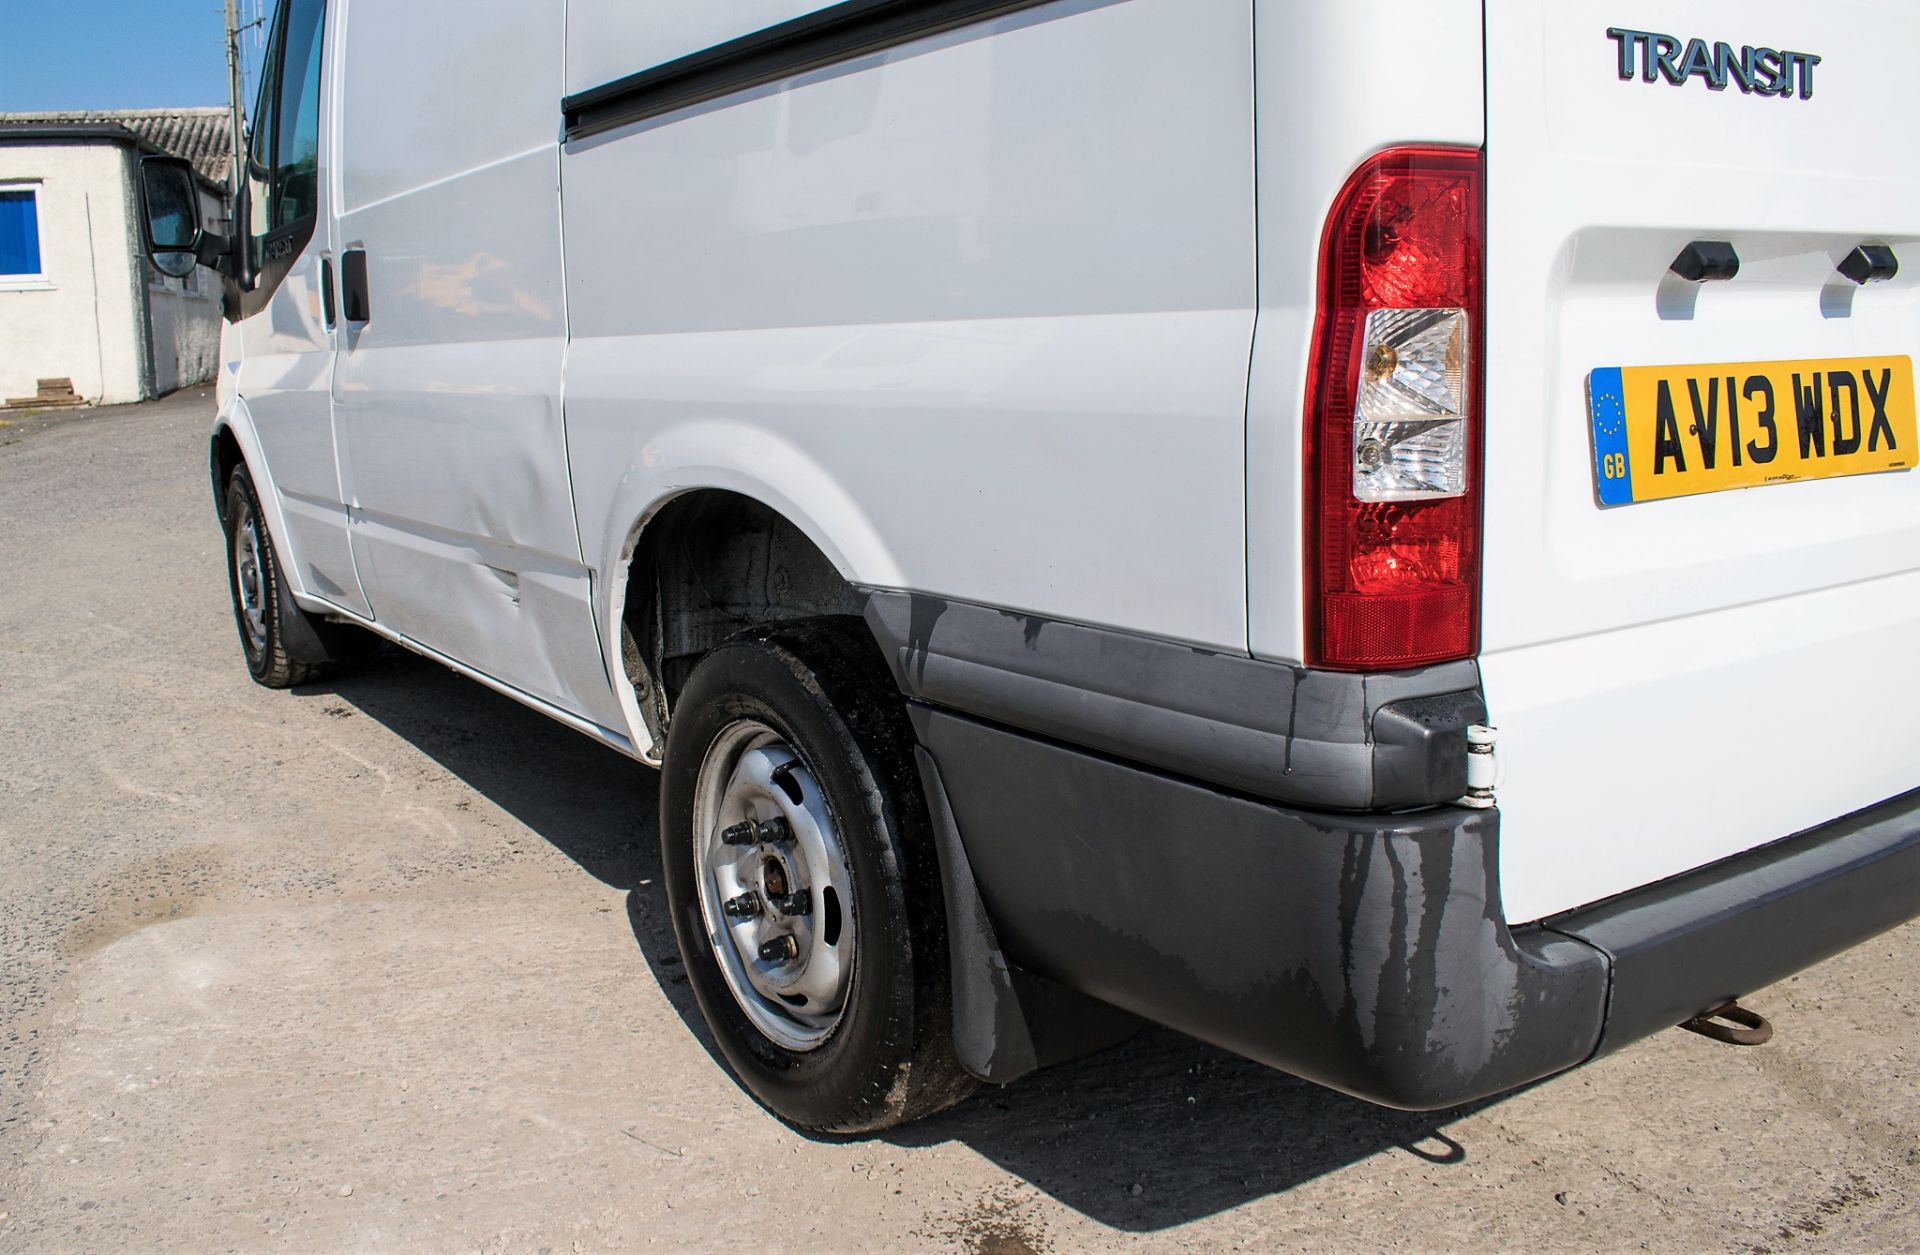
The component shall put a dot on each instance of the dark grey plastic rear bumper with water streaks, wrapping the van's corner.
(1370, 953)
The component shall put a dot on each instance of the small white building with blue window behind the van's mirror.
(84, 316)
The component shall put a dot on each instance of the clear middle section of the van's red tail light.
(1410, 415)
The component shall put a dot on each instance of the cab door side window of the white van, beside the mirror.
(285, 153)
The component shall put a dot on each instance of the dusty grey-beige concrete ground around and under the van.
(385, 964)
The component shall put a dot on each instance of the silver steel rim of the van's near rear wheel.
(754, 778)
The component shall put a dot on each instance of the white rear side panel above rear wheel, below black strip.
(990, 283)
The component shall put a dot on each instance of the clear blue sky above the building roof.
(110, 55)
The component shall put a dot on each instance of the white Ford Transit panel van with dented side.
(1378, 534)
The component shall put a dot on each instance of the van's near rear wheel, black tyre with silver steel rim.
(805, 886)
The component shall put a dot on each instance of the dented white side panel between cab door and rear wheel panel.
(450, 398)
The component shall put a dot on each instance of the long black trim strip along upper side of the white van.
(836, 34)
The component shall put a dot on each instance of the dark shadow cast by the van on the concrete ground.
(1195, 1129)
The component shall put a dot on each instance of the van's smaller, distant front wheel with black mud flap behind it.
(283, 644)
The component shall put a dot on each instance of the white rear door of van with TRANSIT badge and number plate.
(1681, 667)
